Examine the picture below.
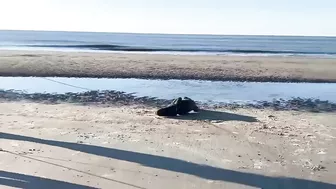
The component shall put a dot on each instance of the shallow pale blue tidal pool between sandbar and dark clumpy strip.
(203, 91)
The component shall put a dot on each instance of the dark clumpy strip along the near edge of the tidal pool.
(120, 98)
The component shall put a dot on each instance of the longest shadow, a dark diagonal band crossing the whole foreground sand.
(181, 166)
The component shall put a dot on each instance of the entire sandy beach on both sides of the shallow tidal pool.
(115, 141)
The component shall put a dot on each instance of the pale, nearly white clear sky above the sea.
(238, 17)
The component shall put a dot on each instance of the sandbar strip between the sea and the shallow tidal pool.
(238, 68)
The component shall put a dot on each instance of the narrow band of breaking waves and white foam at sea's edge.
(124, 49)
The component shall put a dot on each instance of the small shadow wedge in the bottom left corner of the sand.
(18, 180)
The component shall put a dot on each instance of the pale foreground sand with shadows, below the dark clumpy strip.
(72, 146)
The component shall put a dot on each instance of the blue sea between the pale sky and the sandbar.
(169, 43)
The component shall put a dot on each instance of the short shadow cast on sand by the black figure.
(216, 116)
